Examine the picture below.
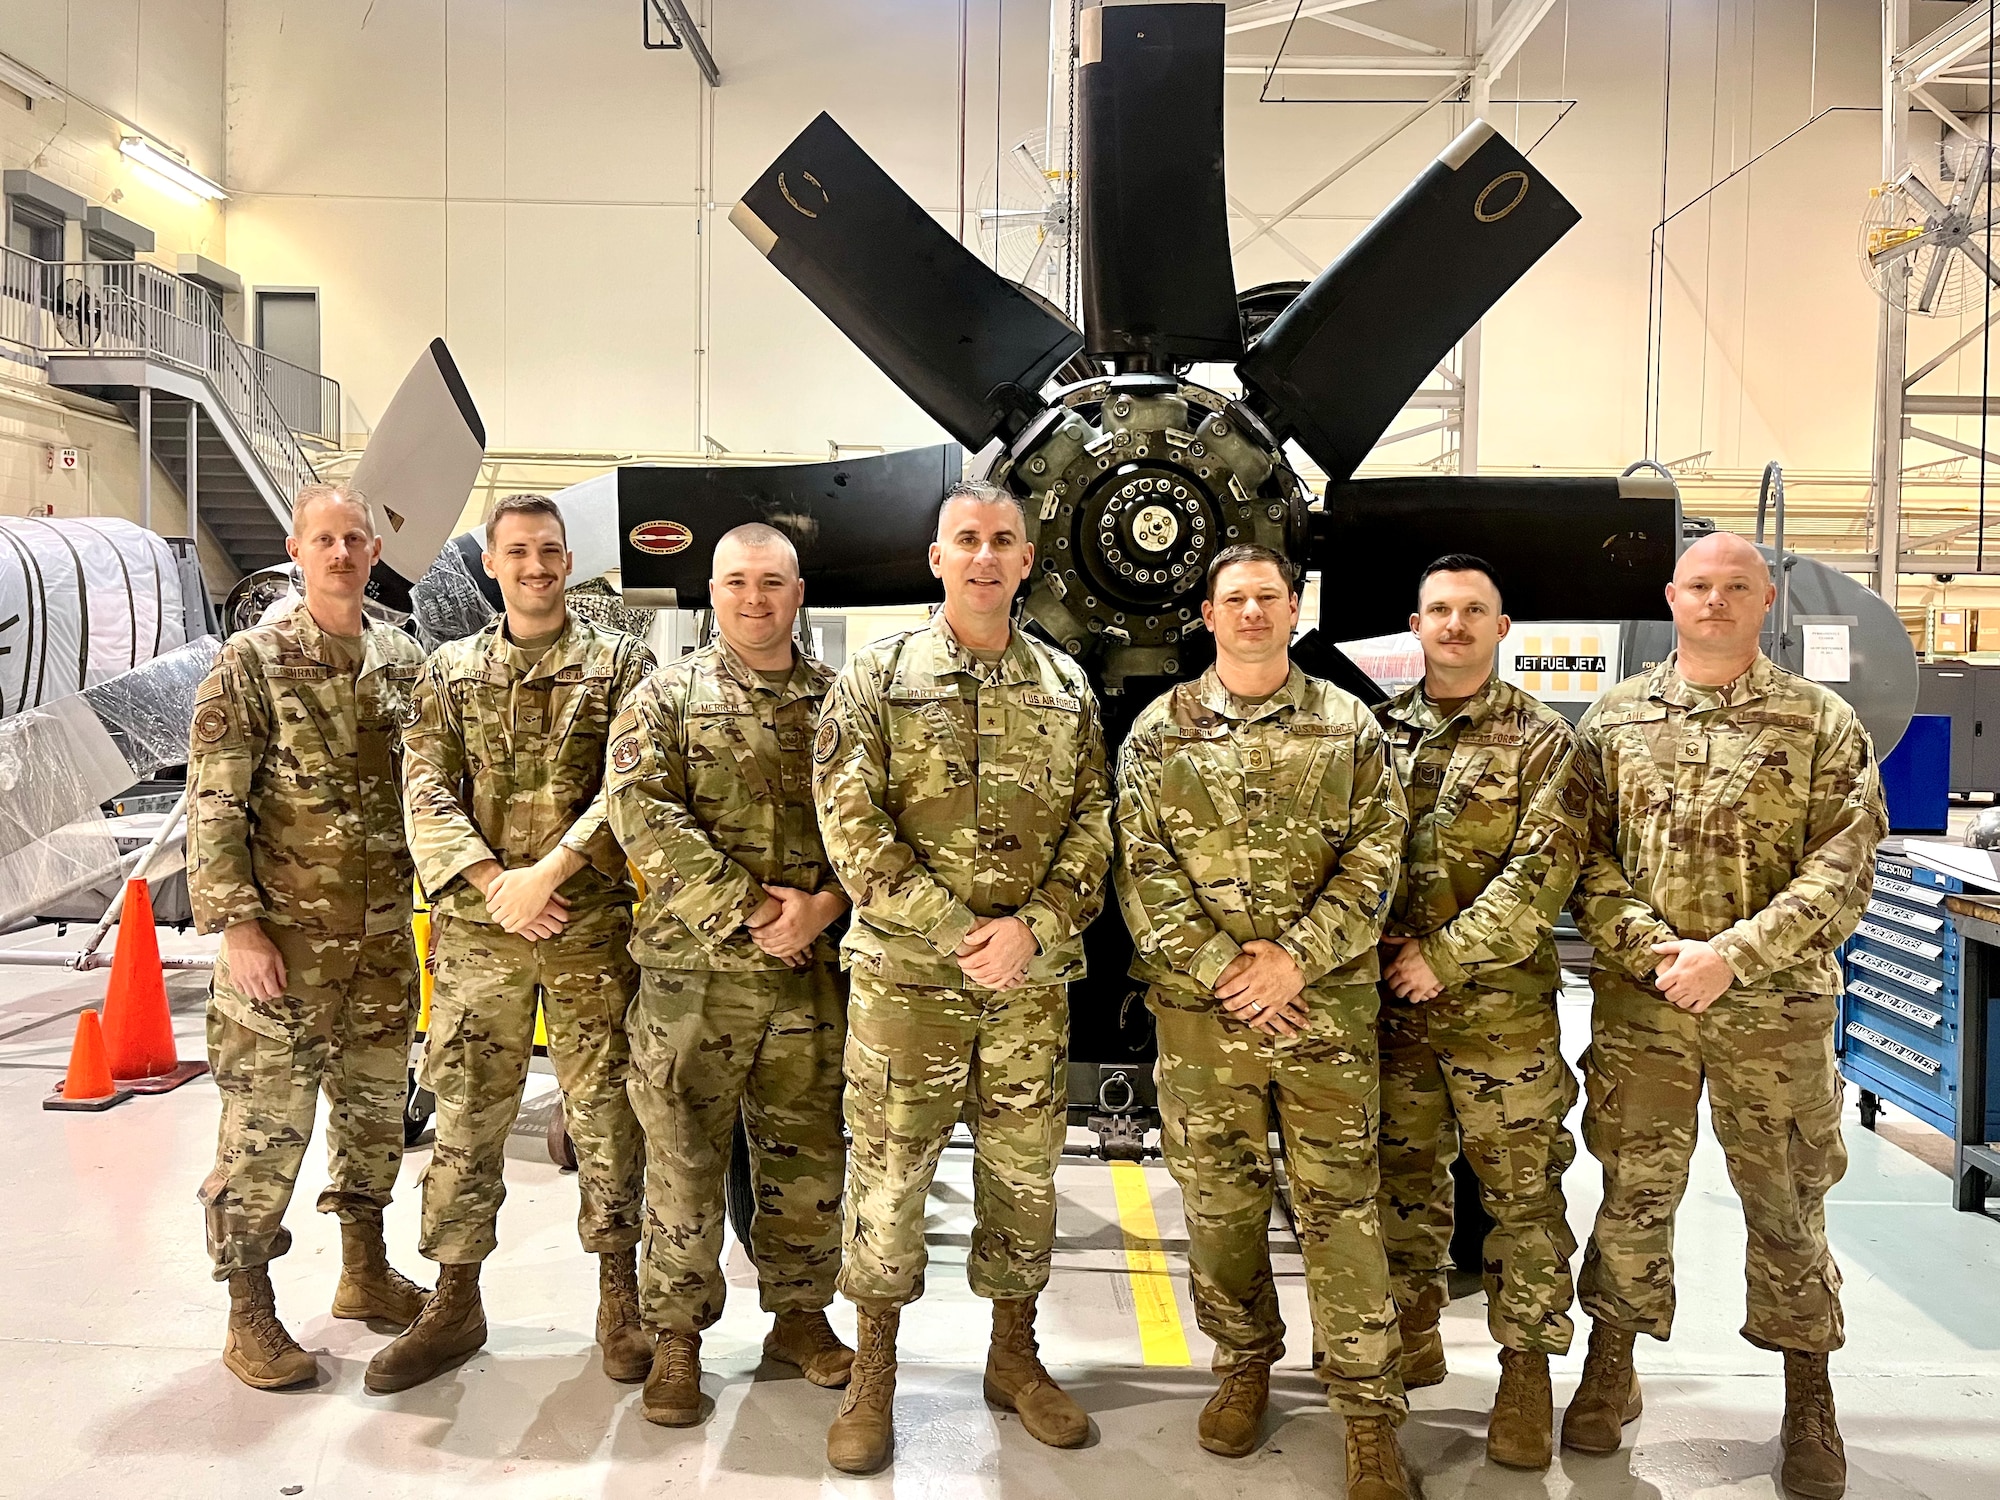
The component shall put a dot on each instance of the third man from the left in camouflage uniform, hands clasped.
(741, 1007)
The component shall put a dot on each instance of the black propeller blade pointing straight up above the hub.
(1155, 219)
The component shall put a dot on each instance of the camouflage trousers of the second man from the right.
(1483, 1067)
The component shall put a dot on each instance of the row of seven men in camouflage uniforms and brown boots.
(1343, 921)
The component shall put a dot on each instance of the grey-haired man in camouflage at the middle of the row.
(963, 801)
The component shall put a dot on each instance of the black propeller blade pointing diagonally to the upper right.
(1345, 357)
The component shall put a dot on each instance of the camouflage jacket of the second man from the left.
(505, 759)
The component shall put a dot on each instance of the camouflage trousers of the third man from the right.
(1223, 1087)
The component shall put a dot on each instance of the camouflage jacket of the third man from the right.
(1279, 823)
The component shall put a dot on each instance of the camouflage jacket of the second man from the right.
(1499, 821)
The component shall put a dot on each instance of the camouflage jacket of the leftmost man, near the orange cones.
(295, 815)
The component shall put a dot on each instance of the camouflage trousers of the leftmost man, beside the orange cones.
(341, 1027)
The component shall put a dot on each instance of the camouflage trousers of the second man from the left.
(477, 1063)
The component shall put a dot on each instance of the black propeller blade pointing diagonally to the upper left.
(967, 345)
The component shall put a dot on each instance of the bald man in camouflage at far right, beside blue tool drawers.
(1733, 855)
